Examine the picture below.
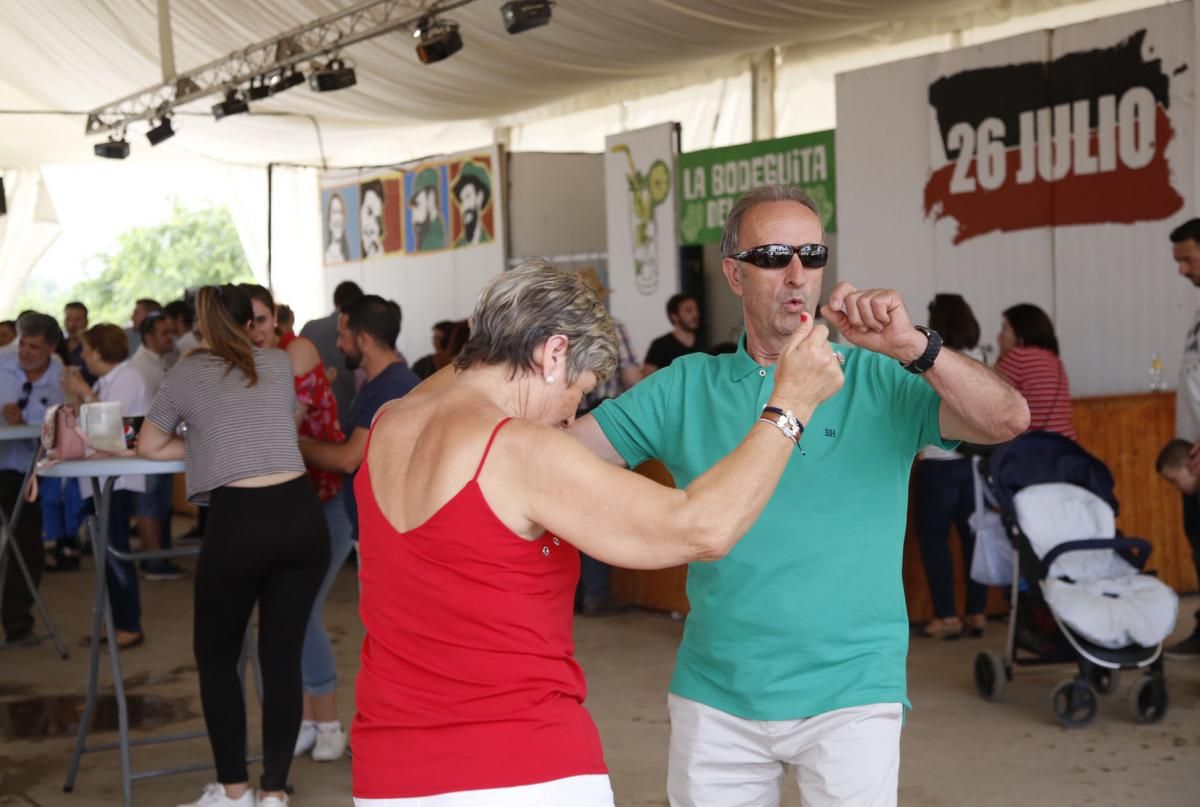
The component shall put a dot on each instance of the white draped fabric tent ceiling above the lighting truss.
(79, 55)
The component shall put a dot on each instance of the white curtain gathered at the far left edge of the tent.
(27, 231)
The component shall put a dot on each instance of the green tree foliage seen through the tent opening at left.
(193, 248)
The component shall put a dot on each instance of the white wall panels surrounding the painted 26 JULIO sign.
(1111, 288)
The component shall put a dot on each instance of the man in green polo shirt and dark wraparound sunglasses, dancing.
(795, 648)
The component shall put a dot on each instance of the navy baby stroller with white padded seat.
(1078, 589)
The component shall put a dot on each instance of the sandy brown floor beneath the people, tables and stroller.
(958, 750)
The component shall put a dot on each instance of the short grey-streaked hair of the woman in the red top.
(521, 309)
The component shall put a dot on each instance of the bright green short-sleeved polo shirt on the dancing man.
(807, 613)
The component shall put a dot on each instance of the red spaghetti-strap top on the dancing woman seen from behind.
(469, 678)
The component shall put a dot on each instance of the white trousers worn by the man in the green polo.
(849, 757)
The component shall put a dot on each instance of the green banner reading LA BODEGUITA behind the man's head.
(712, 181)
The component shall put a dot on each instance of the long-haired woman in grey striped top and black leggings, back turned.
(266, 541)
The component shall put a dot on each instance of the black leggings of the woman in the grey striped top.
(266, 546)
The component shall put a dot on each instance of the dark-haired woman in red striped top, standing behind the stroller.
(1029, 360)
